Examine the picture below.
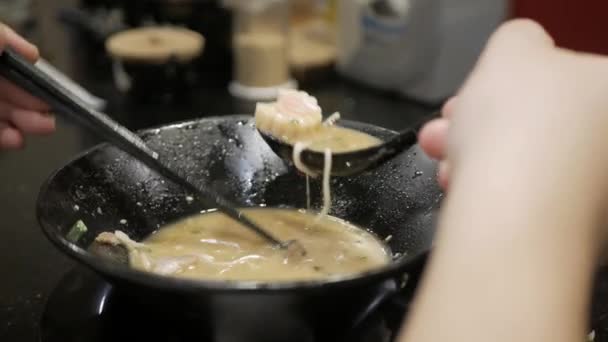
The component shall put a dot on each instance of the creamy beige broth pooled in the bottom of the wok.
(212, 246)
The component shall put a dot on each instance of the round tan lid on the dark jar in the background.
(156, 44)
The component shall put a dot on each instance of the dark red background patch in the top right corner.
(576, 24)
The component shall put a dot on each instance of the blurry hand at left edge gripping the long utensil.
(20, 112)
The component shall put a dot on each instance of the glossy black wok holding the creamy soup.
(105, 187)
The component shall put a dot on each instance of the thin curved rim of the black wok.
(107, 269)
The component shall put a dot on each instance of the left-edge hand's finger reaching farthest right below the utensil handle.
(27, 121)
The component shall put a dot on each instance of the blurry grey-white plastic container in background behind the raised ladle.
(422, 49)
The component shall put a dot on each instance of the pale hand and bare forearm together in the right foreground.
(524, 147)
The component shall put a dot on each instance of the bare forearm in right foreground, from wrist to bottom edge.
(513, 261)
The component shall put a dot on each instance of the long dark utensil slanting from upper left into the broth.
(14, 68)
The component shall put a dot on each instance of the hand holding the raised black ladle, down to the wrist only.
(526, 102)
